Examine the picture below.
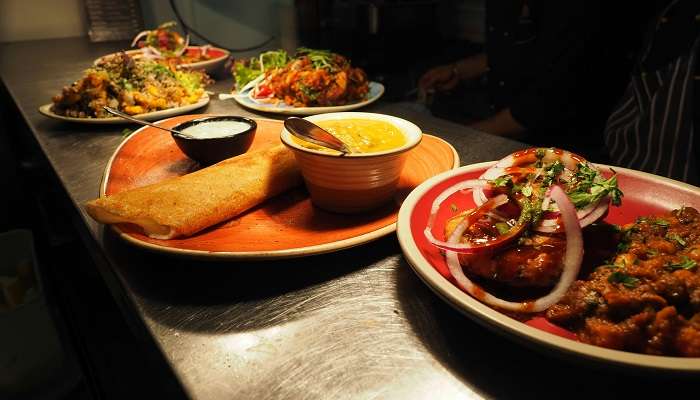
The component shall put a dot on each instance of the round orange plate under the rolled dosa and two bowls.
(285, 226)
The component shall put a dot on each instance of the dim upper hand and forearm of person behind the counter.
(446, 77)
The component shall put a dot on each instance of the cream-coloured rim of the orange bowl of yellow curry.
(411, 132)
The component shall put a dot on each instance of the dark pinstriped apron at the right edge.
(654, 127)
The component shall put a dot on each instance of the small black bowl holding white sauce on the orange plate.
(209, 151)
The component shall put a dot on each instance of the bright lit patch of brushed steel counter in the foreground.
(343, 338)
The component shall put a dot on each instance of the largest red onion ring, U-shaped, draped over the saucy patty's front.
(572, 259)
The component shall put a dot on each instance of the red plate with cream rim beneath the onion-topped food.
(668, 194)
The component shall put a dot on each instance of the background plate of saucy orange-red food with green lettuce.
(309, 82)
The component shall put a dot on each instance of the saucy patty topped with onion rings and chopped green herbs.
(522, 201)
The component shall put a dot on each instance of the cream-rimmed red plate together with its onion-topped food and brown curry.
(643, 298)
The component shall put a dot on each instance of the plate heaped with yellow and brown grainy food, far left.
(145, 89)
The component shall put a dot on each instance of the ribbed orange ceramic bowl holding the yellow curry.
(357, 182)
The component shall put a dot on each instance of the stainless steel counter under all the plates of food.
(352, 324)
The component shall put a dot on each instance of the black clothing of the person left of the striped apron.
(559, 66)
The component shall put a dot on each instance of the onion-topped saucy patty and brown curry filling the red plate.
(535, 245)
